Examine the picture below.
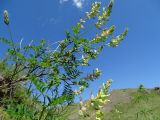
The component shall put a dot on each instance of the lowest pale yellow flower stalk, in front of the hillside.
(96, 103)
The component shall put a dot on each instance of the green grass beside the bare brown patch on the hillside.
(144, 105)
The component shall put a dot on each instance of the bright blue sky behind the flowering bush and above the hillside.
(135, 61)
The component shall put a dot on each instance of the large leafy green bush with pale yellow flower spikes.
(38, 82)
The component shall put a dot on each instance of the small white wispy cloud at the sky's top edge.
(77, 3)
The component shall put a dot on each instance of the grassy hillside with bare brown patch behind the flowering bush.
(129, 104)
